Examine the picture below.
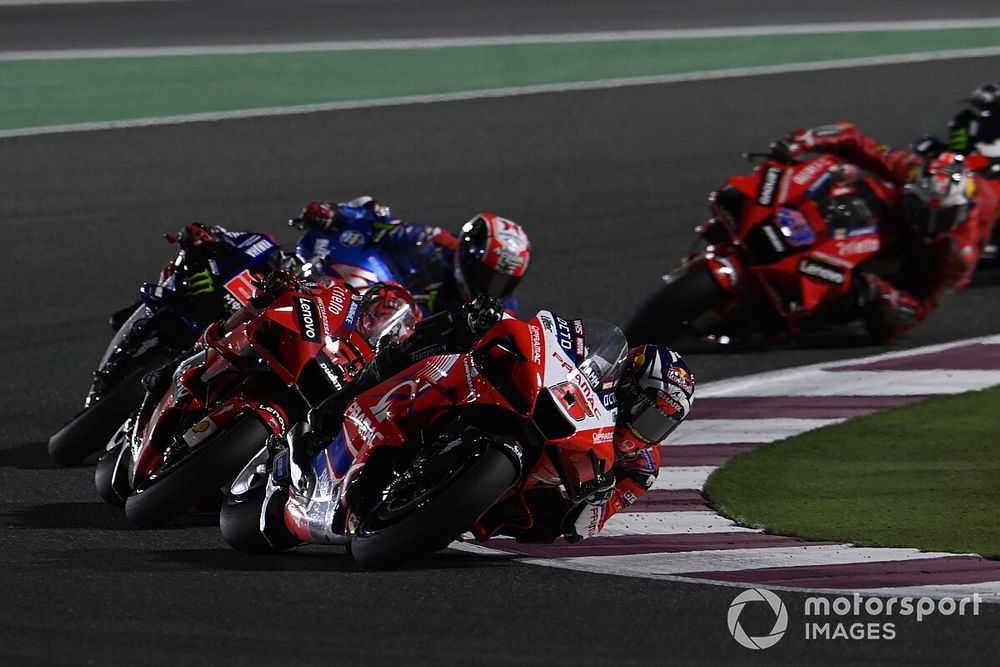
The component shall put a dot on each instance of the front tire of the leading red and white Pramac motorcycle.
(446, 512)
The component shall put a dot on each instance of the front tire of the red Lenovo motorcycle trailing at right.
(664, 316)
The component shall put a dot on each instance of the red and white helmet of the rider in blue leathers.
(492, 256)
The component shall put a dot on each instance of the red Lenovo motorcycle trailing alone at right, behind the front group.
(777, 257)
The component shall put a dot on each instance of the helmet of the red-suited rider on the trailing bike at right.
(937, 196)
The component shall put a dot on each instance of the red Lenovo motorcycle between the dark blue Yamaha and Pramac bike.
(249, 379)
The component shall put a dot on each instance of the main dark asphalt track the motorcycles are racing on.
(609, 185)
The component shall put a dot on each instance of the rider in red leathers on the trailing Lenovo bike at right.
(942, 217)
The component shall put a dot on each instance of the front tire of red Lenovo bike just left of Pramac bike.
(216, 461)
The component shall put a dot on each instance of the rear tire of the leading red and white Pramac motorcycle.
(239, 522)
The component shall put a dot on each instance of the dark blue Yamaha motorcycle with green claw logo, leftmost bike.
(209, 279)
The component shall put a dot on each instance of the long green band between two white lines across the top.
(52, 92)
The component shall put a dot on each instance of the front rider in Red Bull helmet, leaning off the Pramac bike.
(654, 395)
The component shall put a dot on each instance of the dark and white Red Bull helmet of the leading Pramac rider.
(655, 393)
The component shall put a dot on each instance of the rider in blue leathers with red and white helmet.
(488, 257)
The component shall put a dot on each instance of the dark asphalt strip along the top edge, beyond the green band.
(192, 22)
